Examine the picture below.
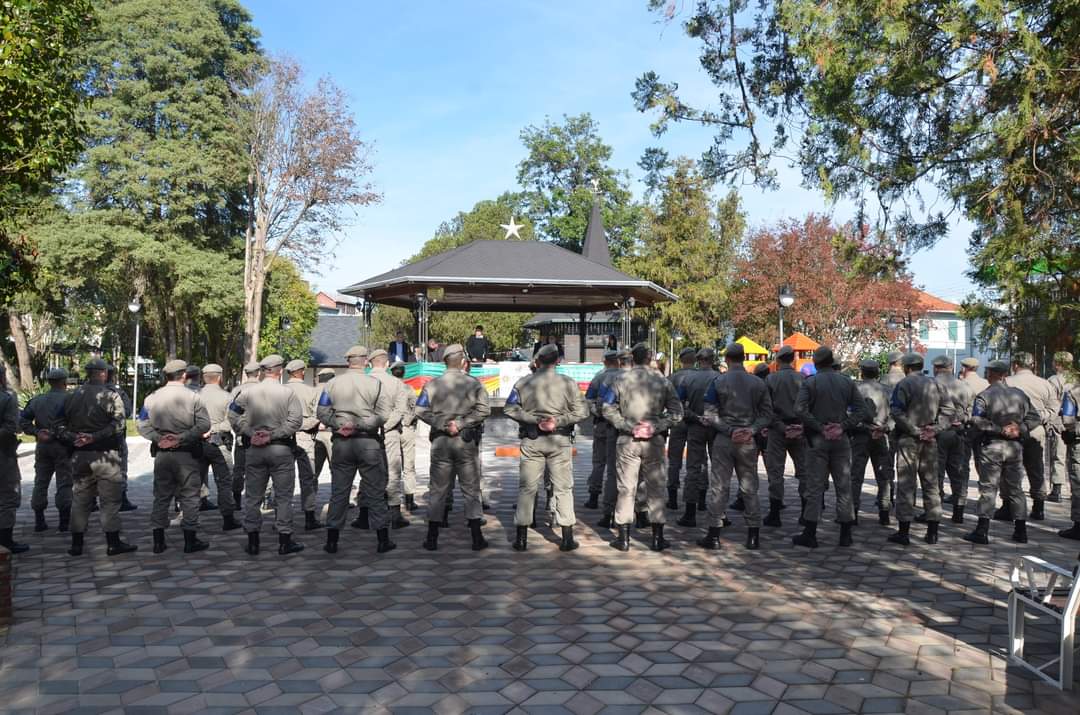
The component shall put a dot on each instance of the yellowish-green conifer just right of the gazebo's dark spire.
(690, 248)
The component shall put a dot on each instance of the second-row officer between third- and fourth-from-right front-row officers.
(870, 442)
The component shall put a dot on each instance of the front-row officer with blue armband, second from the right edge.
(1003, 416)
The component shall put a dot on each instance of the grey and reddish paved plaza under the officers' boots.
(874, 629)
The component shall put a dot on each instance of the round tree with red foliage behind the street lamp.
(840, 302)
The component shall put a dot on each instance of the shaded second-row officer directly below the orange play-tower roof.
(786, 436)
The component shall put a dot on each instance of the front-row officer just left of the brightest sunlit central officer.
(455, 406)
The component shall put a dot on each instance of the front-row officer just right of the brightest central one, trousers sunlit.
(641, 406)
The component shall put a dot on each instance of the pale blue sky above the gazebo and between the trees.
(444, 89)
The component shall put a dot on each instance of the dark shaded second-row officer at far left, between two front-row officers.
(50, 457)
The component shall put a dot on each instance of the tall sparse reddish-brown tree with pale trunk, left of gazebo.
(306, 165)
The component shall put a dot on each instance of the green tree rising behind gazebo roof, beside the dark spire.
(563, 163)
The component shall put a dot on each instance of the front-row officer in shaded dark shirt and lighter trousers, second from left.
(93, 426)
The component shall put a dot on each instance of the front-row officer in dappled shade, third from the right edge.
(916, 410)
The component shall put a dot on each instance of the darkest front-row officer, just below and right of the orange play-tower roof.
(830, 408)
